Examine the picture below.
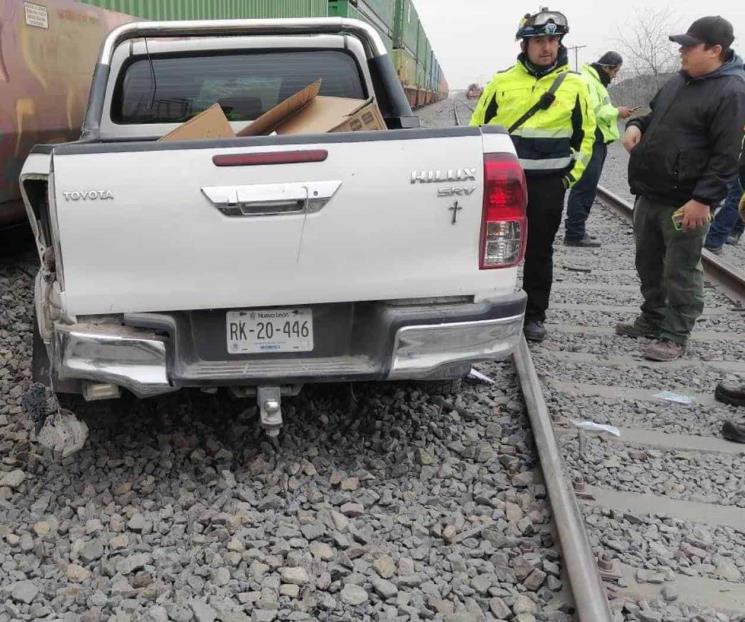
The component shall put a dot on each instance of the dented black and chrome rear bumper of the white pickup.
(151, 354)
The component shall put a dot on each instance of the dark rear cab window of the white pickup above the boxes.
(172, 89)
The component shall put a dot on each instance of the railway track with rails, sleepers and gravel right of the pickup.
(663, 501)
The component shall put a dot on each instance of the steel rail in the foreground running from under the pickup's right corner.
(590, 597)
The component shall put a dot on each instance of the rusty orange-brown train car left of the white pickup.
(47, 55)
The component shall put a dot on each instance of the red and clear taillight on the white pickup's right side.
(504, 225)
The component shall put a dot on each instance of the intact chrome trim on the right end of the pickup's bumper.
(420, 350)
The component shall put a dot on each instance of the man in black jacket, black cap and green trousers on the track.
(683, 159)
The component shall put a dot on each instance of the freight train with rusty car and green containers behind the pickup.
(48, 49)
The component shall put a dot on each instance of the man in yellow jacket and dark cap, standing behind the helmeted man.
(598, 75)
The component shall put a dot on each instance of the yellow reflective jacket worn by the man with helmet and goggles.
(558, 139)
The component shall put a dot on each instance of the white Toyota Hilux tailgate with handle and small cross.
(160, 226)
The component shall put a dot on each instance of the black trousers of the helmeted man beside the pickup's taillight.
(545, 204)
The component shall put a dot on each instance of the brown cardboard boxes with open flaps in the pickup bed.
(305, 112)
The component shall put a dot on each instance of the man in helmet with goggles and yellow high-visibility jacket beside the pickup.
(547, 111)
